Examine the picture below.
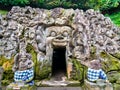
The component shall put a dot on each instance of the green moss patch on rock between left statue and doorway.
(39, 73)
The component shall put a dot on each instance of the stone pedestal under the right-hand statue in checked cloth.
(95, 86)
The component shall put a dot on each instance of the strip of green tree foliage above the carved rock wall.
(81, 4)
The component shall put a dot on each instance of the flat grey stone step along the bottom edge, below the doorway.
(59, 88)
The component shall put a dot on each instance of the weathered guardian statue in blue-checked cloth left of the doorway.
(23, 66)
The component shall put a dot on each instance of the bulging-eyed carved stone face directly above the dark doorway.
(59, 35)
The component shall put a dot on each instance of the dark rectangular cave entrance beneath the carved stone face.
(59, 63)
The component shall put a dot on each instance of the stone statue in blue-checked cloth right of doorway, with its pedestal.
(96, 77)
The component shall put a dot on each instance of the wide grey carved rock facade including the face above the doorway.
(77, 30)
